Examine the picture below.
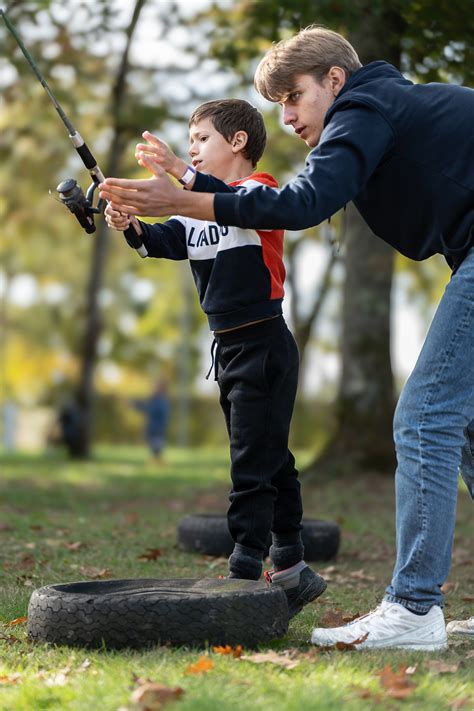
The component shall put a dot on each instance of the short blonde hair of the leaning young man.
(314, 50)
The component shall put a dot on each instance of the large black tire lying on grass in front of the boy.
(141, 613)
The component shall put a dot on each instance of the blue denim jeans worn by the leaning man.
(434, 439)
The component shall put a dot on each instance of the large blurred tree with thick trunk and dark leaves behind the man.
(428, 38)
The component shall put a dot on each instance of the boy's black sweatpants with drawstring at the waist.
(257, 377)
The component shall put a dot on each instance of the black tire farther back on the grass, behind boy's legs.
(209, 534)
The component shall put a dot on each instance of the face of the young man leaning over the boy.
(305, 107)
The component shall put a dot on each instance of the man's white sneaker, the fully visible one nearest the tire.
(390, 625)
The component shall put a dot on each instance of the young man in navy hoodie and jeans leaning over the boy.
(404, 154)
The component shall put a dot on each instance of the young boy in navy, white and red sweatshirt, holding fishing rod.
(239, 276)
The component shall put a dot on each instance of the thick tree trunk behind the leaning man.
(365, 403)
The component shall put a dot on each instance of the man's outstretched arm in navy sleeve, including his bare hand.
(353, 144)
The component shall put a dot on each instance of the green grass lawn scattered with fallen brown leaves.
(116, 506)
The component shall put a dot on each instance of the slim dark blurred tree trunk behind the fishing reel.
(80, 444)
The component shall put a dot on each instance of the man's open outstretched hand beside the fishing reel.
(154, 197)
